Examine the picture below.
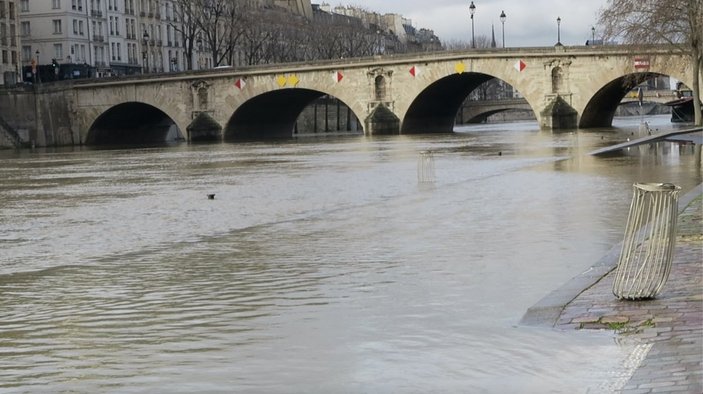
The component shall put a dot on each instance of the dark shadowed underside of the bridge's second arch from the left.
(272, 114)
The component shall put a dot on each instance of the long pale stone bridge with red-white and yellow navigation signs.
(566, 87)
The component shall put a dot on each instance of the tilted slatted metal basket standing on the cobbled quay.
(647, 252)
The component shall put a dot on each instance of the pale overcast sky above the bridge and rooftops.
(528, 22)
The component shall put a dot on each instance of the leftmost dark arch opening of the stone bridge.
(133, 123)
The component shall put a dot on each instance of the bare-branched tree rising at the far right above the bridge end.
(675, 22)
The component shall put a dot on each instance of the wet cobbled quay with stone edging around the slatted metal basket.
(668, 330)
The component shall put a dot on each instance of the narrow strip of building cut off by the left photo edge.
(9, 41)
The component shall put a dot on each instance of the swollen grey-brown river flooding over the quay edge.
(322, 265)
